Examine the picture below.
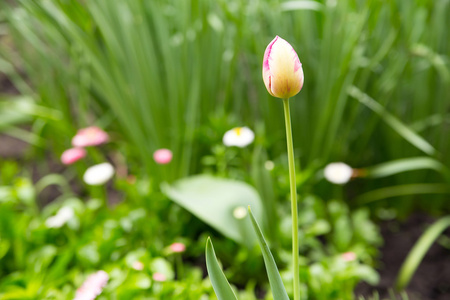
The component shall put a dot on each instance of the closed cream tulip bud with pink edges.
(282, 70)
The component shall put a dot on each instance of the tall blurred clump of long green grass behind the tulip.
(156, 71)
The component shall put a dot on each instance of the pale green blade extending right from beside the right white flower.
(407, 164)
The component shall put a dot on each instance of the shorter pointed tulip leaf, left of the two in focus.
(219, 281)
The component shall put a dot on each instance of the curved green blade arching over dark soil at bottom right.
(419, 250)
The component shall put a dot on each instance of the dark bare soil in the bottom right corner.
(432, 278)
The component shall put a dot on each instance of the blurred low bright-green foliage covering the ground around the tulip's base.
(38, 260)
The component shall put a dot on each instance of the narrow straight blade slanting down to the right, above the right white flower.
(406, 132)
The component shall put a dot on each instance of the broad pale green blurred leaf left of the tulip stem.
(213, 200)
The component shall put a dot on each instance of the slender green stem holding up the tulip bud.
(294, 210)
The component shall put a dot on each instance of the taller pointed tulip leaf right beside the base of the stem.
(276, 284)
